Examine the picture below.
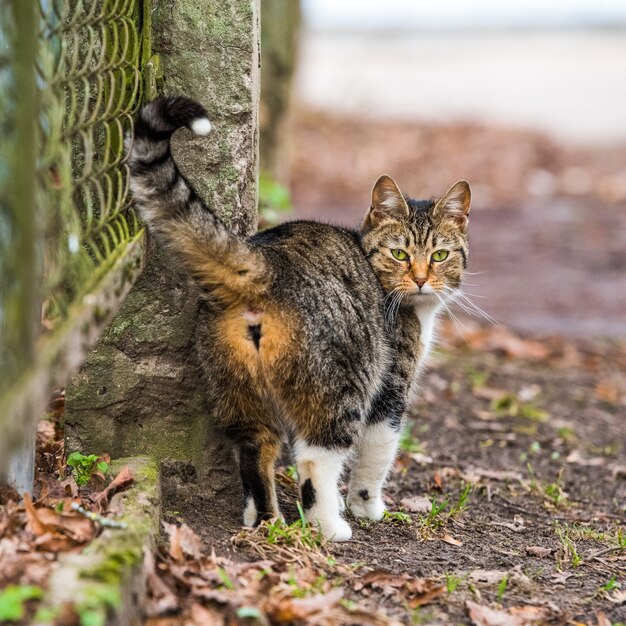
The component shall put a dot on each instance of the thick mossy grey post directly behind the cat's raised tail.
(140, 390)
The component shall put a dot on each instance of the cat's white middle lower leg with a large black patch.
(319, 470)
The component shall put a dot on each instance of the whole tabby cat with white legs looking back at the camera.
(309, 329)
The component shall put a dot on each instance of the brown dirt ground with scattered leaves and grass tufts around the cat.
(536, 428)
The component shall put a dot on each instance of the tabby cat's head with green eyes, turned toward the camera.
(418, 247)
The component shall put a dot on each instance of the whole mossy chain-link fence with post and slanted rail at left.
(72, 74)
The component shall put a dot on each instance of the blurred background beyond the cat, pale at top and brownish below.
(526, 100)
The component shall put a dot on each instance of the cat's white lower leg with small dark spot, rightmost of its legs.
(376, 451)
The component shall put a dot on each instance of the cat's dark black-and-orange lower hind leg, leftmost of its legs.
(257, 459)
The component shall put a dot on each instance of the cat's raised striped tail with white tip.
(217, 258)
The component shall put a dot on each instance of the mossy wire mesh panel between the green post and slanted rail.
(91, 86)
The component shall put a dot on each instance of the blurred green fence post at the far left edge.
(19, 309)
